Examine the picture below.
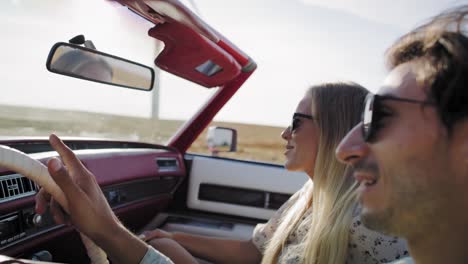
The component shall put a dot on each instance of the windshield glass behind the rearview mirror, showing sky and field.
(35, 102)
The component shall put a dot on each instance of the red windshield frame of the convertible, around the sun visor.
(181, 16)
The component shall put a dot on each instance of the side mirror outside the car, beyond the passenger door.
(221, 139)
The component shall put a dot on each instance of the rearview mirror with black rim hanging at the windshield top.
(90, 64)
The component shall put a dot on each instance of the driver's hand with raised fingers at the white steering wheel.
(88, 208)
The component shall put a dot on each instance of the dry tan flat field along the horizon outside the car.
(257, 143)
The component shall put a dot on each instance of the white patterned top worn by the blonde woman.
(365, 246)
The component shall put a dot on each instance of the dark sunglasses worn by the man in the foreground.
(372, 114)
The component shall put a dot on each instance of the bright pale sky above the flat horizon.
(296, 43)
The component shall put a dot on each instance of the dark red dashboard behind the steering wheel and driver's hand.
(137, 182)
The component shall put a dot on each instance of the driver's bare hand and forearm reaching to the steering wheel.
(88, 209)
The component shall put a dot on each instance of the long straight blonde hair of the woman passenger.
(337, 108)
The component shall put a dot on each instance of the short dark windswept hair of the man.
(442, 45)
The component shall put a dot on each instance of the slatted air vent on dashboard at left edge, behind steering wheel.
(16, 186)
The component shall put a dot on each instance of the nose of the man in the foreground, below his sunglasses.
(352, 147)
